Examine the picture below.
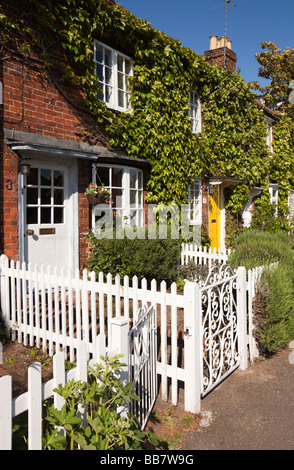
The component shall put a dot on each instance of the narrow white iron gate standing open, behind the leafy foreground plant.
(142, 363)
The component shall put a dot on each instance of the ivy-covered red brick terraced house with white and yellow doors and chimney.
(92, 94)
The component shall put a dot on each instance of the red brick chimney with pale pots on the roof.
(220, 53)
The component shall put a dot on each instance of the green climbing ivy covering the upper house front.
(233, 140)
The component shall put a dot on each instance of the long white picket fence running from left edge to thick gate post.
(54, 310)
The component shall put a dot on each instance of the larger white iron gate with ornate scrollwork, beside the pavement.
(219, 327)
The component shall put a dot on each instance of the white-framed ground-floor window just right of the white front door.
(126, 209)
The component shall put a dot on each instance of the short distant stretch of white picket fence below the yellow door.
(203, 256)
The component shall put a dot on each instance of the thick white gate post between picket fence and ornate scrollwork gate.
(193, 344)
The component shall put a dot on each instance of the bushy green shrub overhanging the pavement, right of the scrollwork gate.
(276, 288)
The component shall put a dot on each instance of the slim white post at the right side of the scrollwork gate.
(242, 317)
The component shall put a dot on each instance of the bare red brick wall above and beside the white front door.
(36, 106)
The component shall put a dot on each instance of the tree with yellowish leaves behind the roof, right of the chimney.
(277, 66)
